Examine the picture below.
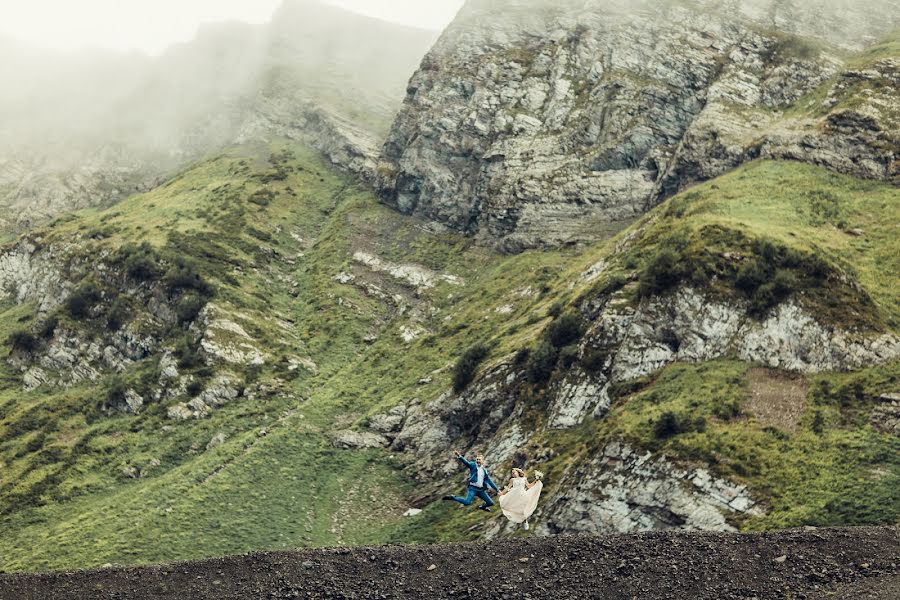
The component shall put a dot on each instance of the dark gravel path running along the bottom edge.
(796, 564)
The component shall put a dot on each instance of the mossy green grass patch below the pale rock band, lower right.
(834, 469)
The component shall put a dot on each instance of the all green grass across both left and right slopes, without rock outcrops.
(272, 228)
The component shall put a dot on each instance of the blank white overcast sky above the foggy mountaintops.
(152, 25)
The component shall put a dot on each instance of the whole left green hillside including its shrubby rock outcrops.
(340, 301)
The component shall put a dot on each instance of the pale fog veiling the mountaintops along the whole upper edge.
(72, 117)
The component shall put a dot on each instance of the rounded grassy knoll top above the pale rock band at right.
(776, 230)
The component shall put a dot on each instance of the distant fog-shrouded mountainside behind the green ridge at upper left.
(89, 129)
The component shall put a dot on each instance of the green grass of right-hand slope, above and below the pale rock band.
(806, 448)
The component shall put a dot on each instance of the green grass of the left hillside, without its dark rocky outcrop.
(289, 487)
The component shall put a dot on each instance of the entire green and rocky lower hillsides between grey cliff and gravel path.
(274, 367)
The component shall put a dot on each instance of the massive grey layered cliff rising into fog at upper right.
(545, 123)
